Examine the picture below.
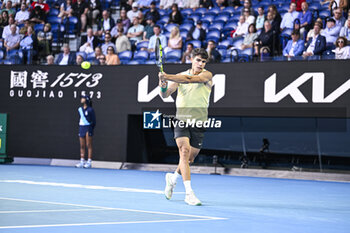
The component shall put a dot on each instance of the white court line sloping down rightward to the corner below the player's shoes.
(120, 209)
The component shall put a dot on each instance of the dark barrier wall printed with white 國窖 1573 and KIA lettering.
(42, 101)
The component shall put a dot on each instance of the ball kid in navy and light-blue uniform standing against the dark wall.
(86, 130)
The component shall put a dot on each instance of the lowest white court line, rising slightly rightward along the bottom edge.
(104, 223)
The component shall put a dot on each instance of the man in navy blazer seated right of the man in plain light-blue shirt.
(316, 44)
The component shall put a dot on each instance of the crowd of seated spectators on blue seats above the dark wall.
(230, 30)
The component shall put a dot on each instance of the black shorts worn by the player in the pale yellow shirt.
(196, 135)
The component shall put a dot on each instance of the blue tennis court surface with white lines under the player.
(63, 199)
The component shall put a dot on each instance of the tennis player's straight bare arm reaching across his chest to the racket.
(203, 77)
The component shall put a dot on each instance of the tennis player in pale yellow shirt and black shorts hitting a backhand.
(193, 91)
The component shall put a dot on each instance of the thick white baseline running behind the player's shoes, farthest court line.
(95, 187)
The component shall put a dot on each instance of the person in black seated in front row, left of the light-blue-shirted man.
(265, 40)
